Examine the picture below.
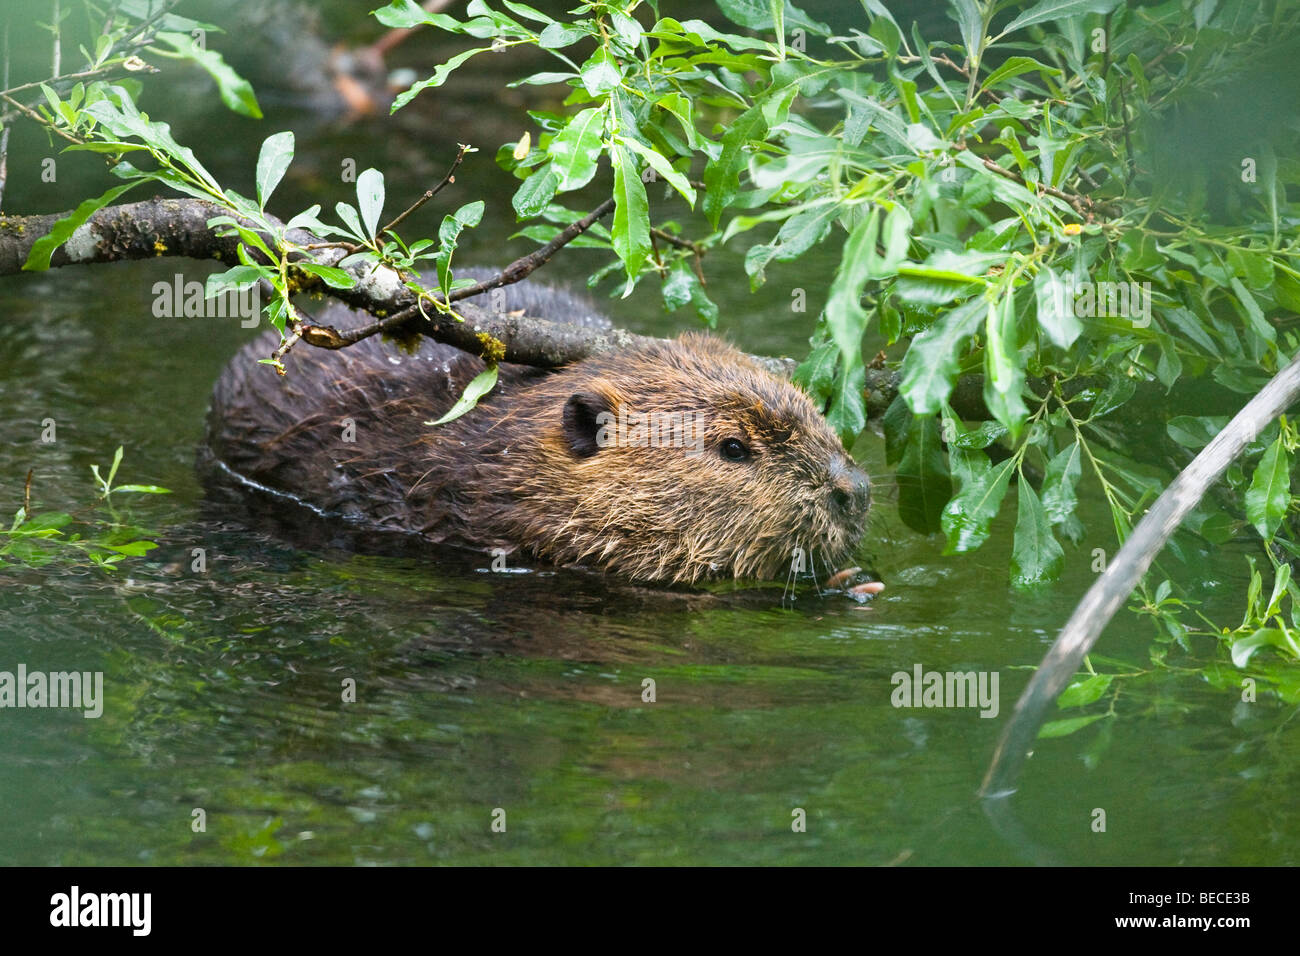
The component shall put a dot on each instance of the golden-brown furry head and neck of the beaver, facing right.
(670, 462)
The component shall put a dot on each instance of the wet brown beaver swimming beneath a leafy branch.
(673, 462)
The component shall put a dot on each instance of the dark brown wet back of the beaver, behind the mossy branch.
(332, 431)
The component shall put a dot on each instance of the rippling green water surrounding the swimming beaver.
(523, 693)
